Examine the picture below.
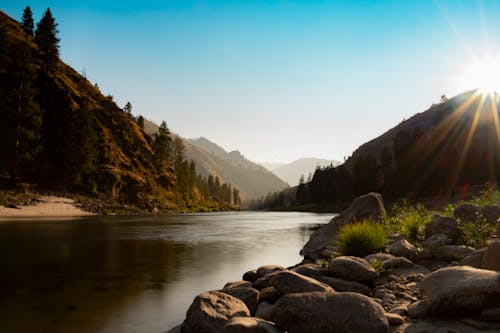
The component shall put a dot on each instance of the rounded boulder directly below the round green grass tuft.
(352, 269)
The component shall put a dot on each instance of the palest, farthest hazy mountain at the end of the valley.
(291, 172)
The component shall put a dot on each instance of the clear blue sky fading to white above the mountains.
(277, 80)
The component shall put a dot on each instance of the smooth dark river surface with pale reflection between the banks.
(133, 274)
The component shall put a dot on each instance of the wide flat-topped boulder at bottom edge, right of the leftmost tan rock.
(321, 312)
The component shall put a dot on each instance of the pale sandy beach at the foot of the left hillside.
(47, 206)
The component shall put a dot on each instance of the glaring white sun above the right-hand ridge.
(482, 74)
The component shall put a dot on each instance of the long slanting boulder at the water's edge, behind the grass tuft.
(366, 207)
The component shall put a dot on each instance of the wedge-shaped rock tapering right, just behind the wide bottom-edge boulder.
(289, 282)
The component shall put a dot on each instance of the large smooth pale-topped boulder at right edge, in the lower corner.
(457, 291)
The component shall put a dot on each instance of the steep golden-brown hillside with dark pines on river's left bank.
(58, 131)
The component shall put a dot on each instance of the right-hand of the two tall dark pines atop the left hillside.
(47, 41)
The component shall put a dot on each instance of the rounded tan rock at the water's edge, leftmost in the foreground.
(209, 312)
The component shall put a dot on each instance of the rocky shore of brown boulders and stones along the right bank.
(440, 286)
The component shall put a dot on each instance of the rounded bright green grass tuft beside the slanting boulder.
(361, 239)
